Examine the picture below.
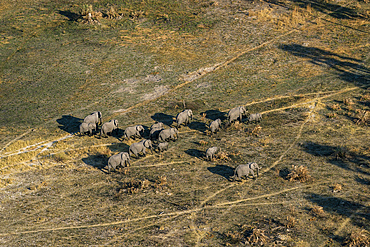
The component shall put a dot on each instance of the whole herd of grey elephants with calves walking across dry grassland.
(158, 134)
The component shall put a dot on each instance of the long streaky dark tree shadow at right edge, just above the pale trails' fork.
(348, 69)
